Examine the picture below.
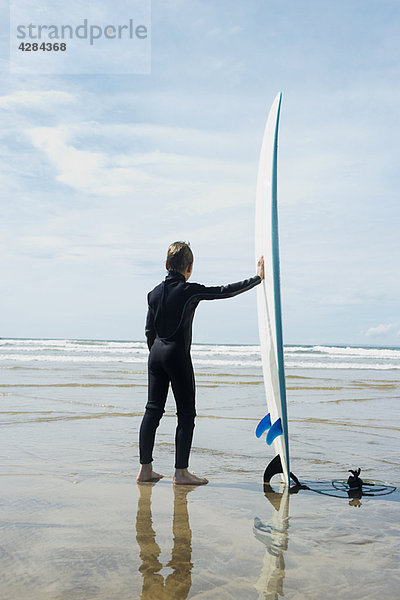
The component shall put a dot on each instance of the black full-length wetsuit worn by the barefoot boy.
(172, 305)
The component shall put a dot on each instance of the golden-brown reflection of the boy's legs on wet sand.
(178, 583)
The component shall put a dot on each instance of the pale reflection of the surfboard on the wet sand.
(275, 536)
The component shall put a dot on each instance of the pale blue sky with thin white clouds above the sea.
(100, 173)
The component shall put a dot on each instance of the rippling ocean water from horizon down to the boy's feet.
(343, 406)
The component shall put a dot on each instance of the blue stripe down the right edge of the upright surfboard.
(277, 293)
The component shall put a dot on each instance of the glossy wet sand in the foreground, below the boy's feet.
(108, 538)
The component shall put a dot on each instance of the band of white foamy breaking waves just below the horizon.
(300, 357)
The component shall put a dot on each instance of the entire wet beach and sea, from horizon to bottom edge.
(75, 525)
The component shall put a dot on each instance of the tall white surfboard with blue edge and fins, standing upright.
(269, 300)
